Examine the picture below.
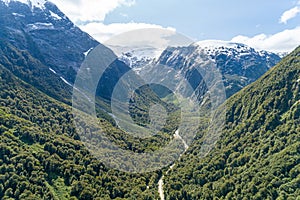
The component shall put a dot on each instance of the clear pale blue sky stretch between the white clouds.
(209, 19)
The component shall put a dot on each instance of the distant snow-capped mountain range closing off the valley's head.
(239, 64)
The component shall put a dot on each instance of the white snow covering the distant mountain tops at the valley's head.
(138, 57)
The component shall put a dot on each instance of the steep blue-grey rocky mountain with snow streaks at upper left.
(40, 45)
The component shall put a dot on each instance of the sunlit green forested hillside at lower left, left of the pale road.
(42, 157)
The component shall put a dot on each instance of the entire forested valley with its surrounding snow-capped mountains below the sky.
(208, 120)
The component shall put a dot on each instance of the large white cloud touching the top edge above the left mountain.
(89, 10)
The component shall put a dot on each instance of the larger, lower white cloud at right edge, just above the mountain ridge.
(284, 41)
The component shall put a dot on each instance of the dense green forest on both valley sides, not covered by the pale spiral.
(42, 157)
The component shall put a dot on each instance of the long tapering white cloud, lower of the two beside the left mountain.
(103, 32)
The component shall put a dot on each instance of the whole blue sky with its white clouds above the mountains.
(265, 24)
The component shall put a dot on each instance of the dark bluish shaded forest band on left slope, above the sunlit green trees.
(31, 70)
